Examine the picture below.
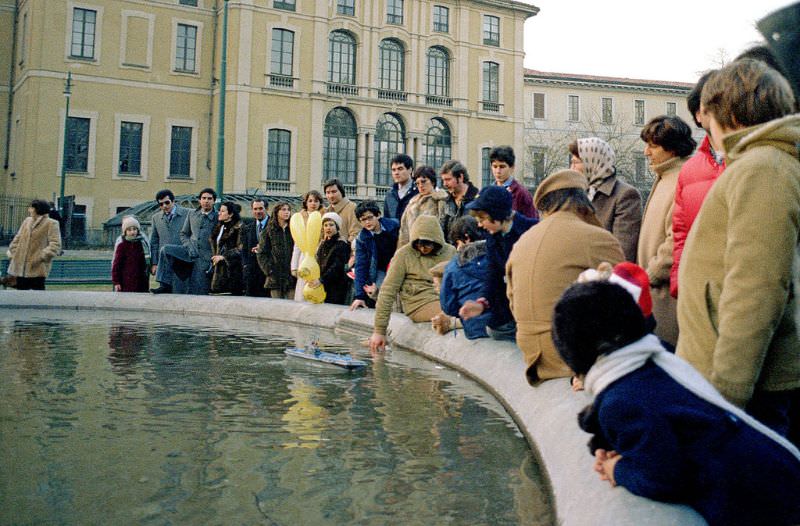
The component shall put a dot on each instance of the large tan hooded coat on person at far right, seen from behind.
(736, 303)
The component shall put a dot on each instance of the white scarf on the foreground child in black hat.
(611, 367)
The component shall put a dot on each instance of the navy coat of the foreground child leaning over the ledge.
(677, 447)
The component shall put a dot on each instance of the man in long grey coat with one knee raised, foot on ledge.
(191, 260)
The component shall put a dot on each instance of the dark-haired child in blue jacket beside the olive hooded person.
(466, 274)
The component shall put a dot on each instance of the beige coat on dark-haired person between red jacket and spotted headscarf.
(655, 246)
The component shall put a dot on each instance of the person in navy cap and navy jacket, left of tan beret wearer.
(493, 211)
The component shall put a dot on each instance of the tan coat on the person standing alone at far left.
(33, 248)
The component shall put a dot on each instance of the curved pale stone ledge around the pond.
(546, 413)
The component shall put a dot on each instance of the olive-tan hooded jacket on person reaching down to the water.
(409, 273)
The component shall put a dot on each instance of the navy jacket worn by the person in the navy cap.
(498, 248)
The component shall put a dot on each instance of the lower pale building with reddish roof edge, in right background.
(562, 107)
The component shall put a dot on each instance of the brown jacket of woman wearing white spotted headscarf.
(618, 207)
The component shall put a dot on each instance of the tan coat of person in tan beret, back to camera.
(543, 263)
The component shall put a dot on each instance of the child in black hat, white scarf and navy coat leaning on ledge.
(660, 429)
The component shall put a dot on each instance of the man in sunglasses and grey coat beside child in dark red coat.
(167, 224)
